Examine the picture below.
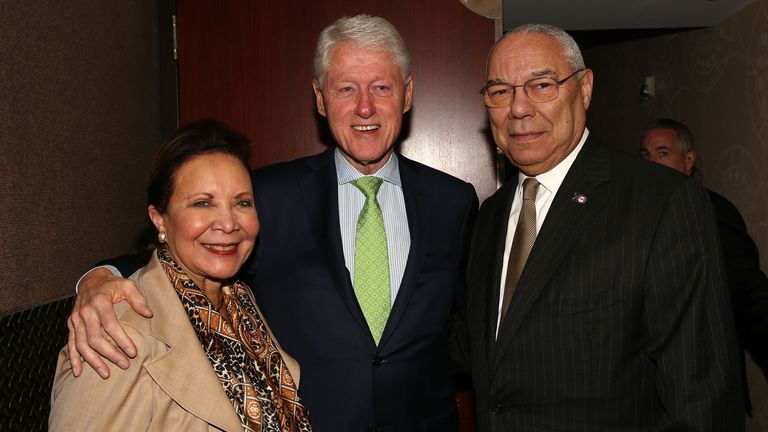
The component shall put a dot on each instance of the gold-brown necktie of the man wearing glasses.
(525, 235)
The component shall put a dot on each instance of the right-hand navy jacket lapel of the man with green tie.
(417, 209)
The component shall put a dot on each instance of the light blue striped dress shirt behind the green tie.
(392, 204)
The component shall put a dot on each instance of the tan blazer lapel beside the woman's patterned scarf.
(184, 372)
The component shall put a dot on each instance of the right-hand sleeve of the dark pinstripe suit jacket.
(689, 329)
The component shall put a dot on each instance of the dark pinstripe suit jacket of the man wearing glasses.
(621, 319)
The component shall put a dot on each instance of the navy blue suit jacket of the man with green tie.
(298, 275)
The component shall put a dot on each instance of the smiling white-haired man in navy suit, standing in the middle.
(302, 267)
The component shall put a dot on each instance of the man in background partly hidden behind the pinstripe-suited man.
(671, 143)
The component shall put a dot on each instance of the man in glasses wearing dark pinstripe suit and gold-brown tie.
(620, 319)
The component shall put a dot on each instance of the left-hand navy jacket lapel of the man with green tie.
(320, 195)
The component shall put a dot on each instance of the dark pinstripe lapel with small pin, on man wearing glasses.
(566, 217)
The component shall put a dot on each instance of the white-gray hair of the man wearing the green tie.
(363, 31)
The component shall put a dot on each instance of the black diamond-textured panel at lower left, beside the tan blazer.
(29, 342)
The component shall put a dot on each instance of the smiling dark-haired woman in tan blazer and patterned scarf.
(206, 359)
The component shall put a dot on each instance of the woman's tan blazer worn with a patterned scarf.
(169, 386)
